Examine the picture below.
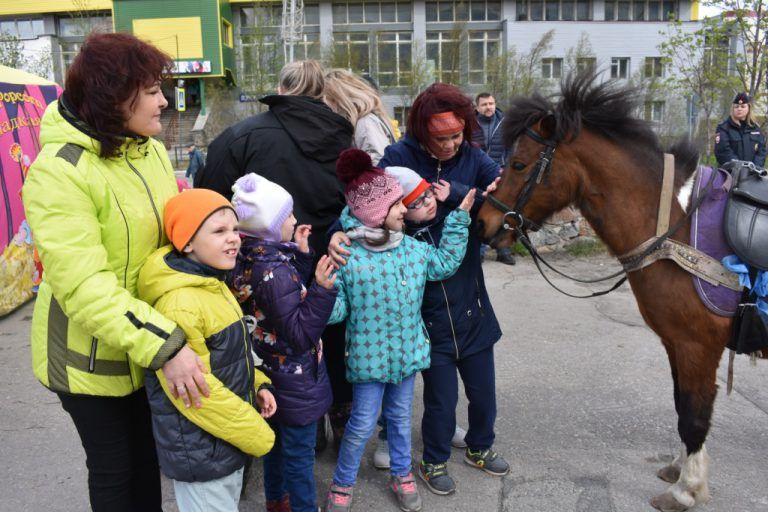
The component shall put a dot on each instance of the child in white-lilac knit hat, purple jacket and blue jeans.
(273, 282)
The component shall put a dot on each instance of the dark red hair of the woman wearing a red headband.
(439, 98)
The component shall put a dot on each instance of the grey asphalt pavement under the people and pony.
(585, 416)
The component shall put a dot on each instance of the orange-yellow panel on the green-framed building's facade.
(181, 38)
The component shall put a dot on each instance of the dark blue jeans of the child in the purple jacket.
(289, 466)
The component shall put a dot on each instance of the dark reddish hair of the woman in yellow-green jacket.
(110, 70)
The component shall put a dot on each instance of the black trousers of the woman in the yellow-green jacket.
(116, 432)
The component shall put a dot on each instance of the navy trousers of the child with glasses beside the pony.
(441, 394)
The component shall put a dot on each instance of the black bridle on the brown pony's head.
(515, 213)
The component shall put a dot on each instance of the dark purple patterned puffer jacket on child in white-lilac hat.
(268, 280)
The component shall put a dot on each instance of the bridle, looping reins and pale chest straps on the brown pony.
(661, 246)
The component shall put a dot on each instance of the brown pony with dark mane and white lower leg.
(592, 153)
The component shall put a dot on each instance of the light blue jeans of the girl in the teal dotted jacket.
(394, 401)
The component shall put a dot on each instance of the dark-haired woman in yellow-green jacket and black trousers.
(94, 199)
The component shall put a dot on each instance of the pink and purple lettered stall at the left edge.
(23, 99)
